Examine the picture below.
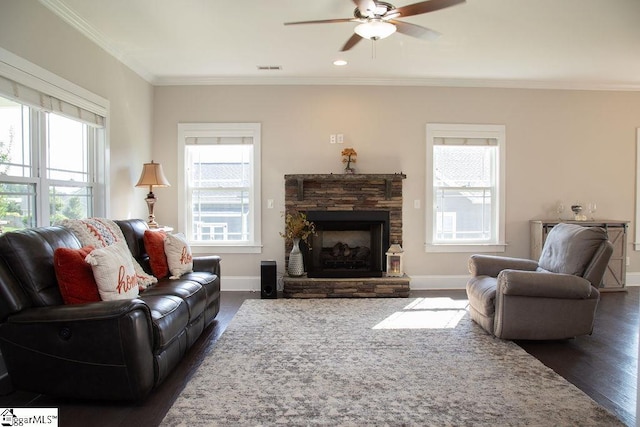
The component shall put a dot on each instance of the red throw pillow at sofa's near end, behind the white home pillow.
(75, 276)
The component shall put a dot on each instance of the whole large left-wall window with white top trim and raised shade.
(52, 148)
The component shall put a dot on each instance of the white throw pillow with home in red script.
(114, 272)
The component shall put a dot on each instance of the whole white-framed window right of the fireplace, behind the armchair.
(465, 188)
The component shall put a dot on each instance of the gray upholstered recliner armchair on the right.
(549, 299)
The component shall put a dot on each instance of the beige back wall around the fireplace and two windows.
(561, 145)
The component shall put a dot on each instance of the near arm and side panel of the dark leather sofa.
(103, 350)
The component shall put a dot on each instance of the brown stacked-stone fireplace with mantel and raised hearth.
(357, 217)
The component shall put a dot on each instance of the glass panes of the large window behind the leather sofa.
(65, 182)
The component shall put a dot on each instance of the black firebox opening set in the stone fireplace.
(347, 244)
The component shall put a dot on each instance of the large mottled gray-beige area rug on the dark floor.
(417, 361)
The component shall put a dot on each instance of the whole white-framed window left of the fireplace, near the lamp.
(220, 185)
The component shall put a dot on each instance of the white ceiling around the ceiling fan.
(582, 44)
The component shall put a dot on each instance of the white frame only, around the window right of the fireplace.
(443, 130)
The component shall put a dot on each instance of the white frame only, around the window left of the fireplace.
(221, 130)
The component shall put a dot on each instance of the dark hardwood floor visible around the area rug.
(603, 365)
